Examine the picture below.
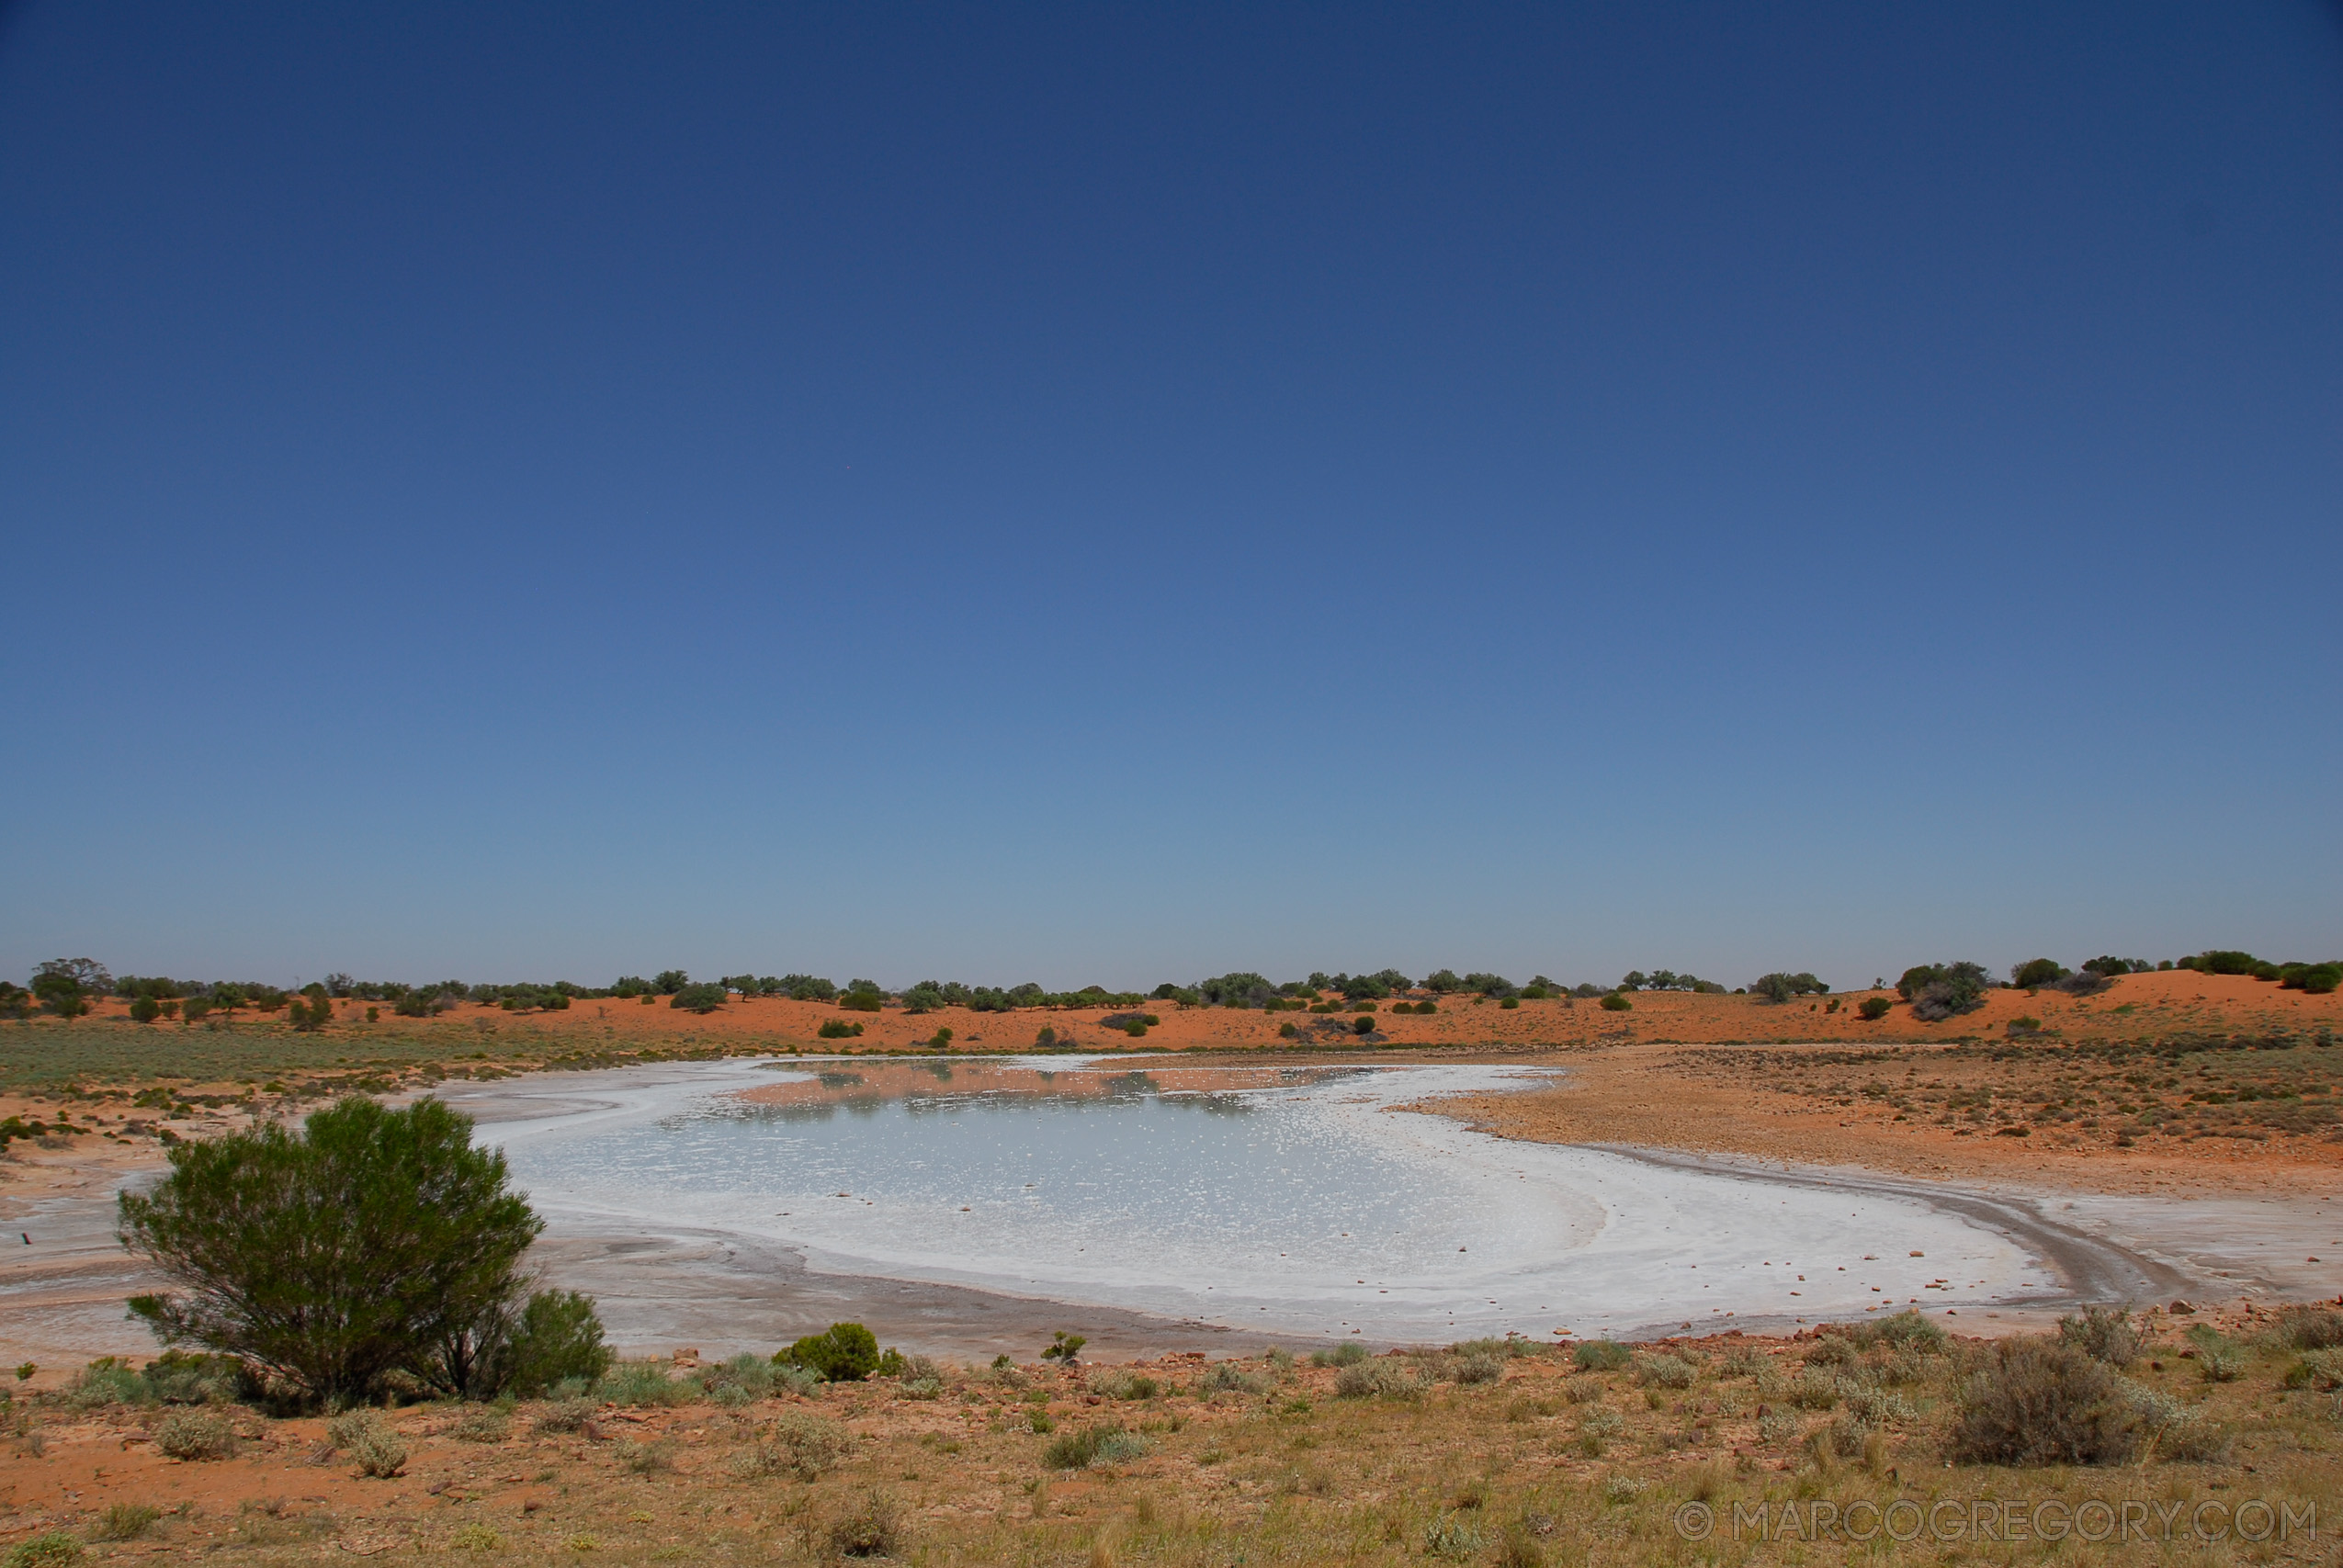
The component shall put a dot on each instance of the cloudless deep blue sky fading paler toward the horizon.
(1121, 493)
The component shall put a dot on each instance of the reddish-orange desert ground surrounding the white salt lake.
(2171, 1093)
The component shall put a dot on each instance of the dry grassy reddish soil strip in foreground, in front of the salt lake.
(1238, 1461)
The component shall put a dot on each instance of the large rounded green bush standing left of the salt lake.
(336, 1255)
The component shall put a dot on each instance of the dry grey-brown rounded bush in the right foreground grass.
(2044, 1403)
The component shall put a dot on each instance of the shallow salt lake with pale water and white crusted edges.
(1290, 1201)
